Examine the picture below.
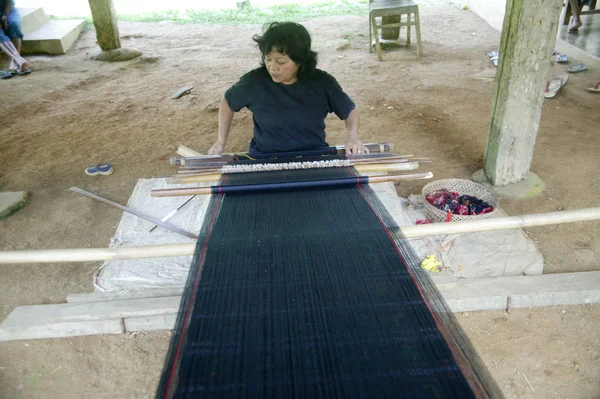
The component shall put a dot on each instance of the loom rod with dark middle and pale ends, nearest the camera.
(326, 183)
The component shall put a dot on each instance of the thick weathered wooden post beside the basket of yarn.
(528, 39)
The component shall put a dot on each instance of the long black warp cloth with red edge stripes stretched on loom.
(312, 294)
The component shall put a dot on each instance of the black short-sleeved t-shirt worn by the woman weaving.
(288, 117)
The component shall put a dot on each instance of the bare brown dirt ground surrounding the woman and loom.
(73, 112)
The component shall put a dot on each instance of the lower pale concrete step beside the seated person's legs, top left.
(53, 37)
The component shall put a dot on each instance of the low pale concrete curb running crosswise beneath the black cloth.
(461, 295)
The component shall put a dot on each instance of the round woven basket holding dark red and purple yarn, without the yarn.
(462, 187)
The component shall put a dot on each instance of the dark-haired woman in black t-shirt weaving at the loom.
(289, 97)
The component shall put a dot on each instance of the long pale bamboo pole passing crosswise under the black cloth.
(160, 251)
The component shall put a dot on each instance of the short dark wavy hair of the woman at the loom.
(291, 39)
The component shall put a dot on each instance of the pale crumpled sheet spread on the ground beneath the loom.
(469, 255)
